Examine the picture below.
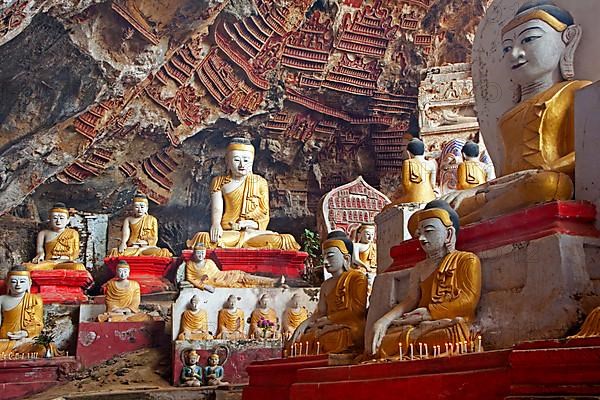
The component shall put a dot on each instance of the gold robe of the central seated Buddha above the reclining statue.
(250, 201)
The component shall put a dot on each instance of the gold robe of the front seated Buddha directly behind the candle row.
(452, 290)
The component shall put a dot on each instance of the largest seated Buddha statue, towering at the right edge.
(538, 134)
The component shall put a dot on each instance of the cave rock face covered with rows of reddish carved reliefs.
(102, 98)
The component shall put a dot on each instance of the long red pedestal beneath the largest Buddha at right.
(567, 217)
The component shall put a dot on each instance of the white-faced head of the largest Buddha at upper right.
(538, 46)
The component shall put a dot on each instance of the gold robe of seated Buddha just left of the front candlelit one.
(346, 307)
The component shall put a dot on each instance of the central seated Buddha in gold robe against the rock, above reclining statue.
(240, 207)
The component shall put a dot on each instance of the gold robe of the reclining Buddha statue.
(210, 274)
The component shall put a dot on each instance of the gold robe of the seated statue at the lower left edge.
(28, 315)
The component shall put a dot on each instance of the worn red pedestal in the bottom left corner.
(20, 379)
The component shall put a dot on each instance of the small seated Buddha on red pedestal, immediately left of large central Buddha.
(139, 234)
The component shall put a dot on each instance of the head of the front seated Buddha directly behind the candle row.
(436, 226)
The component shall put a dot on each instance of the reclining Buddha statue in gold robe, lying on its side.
(203, 273)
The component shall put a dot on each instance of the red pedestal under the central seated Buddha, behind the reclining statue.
(265, 262)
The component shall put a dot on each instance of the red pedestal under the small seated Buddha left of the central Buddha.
(149, 272)
